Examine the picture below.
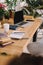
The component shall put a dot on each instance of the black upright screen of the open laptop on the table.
(18, 17)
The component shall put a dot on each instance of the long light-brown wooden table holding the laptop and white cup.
(17, 47)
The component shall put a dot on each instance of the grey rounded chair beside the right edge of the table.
(35, 48)
